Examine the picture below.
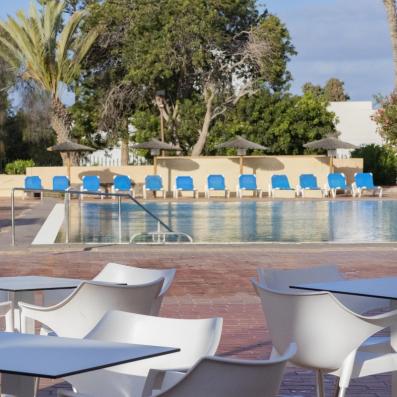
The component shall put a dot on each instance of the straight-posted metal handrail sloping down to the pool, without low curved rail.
(68, 192)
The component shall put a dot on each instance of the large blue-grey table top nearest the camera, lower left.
(56, 357)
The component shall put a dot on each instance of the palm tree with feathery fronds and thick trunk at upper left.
(42, 49)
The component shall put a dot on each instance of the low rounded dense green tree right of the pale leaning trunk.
(280, 121)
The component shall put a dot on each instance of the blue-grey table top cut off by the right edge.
(385, 288)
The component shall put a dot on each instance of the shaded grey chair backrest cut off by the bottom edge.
(223, 377)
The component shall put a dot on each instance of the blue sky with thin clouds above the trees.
(346, 39)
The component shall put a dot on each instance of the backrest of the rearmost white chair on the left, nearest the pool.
(116, 273)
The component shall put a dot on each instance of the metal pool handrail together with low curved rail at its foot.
(167, 236)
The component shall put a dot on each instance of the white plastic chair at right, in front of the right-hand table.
(329, 337)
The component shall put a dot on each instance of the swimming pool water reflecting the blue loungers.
(349, 221)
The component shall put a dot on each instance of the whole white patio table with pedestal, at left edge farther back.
(22, 288)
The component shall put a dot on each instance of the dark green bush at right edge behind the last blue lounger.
(381, 161)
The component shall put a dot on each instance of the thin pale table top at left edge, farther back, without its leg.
(36, 283)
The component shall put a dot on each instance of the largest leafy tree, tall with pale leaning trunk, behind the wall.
(207, 53)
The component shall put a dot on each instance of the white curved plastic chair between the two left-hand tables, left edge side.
(78, 314)
